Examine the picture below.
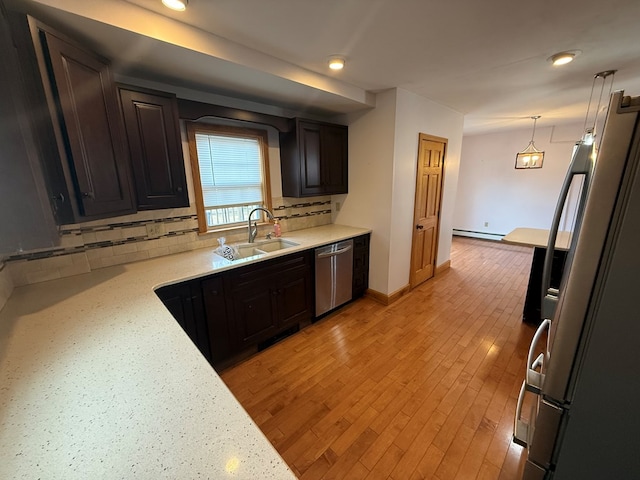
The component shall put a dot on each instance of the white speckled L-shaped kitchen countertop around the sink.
(97, 380)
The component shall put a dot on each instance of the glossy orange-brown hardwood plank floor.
(423, 388)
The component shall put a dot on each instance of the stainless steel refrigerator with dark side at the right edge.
(583, 382)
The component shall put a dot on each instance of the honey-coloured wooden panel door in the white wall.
(431, 152)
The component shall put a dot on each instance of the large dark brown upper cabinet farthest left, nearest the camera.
(74, 112)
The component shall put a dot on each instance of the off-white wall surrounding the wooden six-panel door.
(383, 150)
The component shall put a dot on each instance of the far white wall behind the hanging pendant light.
(491, 190)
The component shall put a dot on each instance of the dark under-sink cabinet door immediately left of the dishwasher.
(293, 296)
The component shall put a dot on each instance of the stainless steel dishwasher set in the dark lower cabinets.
(334, 275)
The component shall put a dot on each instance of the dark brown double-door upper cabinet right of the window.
(314, 159)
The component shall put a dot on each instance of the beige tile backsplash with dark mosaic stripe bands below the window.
(98, 244)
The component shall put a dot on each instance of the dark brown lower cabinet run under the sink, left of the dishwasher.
(228, 313)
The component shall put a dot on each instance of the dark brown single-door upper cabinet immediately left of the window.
(155, 149)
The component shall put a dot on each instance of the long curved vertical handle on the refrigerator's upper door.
(581, 164)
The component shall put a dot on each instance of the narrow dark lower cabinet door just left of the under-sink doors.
(218, 321)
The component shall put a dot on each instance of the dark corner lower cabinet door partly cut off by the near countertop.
(184, 302)
